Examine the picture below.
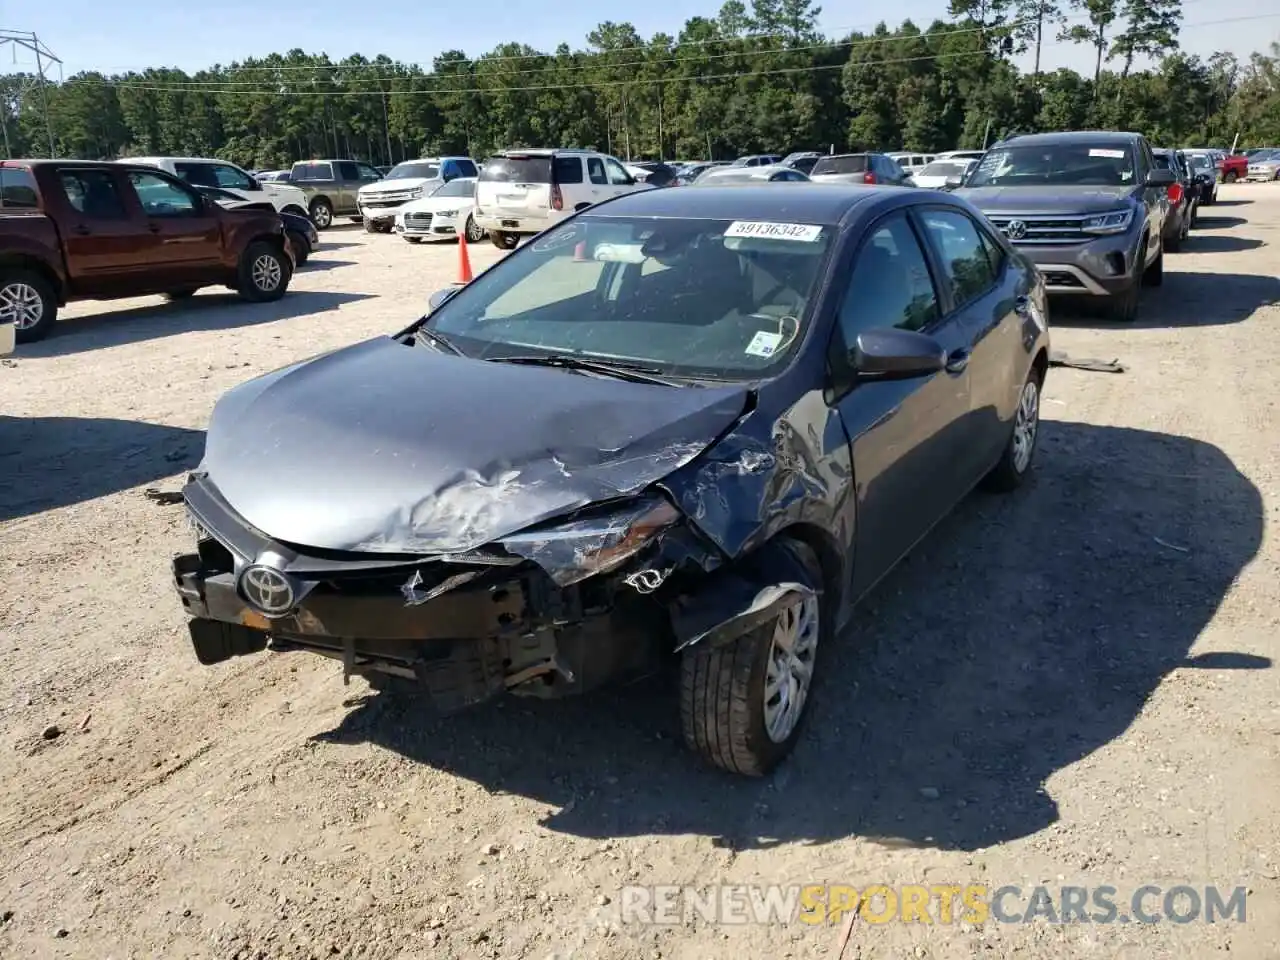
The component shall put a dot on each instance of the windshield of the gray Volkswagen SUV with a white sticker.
(1063, 164)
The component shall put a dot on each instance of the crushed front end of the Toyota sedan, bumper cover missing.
(550, 612)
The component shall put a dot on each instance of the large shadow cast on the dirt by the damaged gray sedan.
(929, 730)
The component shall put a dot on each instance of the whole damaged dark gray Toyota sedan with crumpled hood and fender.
(692, 424)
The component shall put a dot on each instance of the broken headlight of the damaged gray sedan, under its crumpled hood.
(593, 543)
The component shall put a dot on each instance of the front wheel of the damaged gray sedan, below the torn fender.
(743, 703)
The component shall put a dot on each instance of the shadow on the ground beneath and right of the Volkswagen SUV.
(1183, 300)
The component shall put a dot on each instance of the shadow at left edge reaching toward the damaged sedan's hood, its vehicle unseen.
(51, 463)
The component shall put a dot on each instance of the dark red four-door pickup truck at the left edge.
(74, 230)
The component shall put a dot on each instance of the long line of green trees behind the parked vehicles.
(755, 79)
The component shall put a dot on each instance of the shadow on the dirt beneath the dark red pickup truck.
(205, 312)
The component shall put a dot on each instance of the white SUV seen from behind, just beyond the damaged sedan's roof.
(523, 193)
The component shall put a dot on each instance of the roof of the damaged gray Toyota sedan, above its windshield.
(774, 203)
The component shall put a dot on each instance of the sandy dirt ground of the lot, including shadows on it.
(1069, 687)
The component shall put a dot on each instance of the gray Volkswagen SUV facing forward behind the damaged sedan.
(1087, 208)
